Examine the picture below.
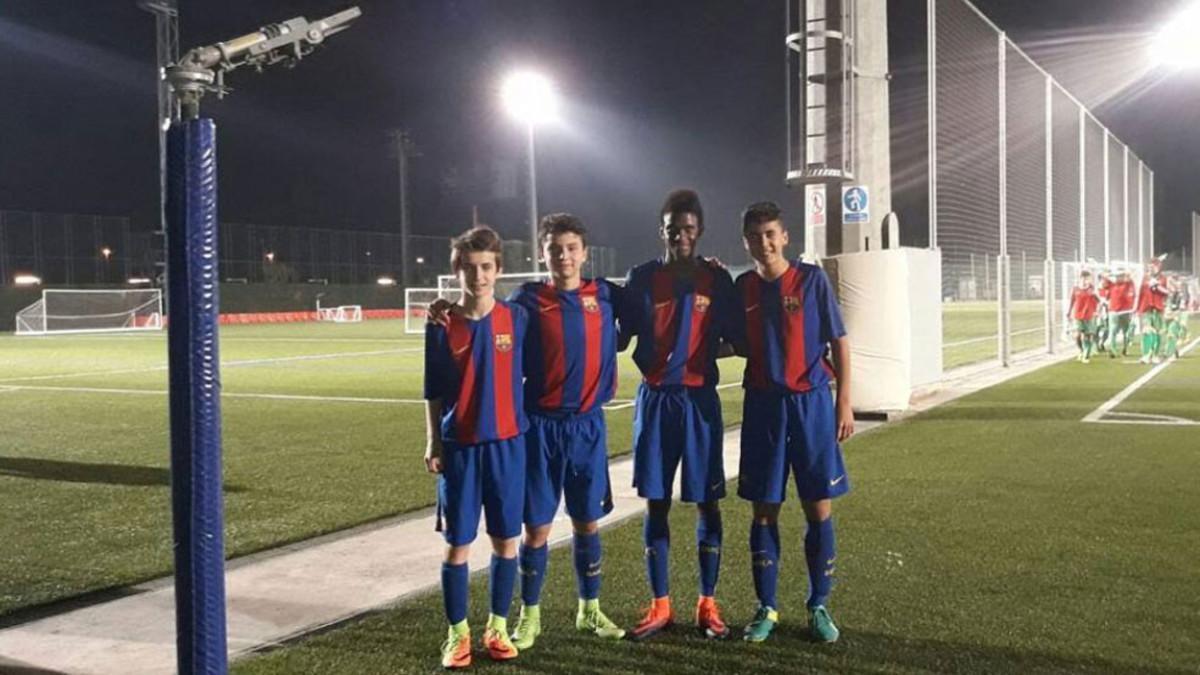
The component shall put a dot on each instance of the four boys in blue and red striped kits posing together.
(515, 392)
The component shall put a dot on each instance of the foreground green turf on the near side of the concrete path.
(998, 534)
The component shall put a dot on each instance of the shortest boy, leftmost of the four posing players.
(476, 423)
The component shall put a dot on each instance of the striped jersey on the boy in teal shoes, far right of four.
(789, 326)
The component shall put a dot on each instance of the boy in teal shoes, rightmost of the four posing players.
(791, 422)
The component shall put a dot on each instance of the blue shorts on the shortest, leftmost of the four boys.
(489, 476)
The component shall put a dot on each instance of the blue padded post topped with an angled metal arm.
(194, 289)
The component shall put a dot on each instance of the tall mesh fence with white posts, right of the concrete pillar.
(1023, 180)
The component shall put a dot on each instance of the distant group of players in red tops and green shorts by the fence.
(1103, 313)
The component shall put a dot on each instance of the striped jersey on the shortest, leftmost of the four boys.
(475, 368)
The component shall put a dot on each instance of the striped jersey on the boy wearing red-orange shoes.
(680, 324)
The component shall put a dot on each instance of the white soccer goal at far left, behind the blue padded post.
(63, 310)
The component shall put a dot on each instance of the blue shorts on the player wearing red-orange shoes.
(674, 425)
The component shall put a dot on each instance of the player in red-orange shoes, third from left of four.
(680, 308)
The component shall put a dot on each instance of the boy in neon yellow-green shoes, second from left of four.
(571, 373)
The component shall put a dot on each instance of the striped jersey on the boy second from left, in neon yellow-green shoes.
(571, 361)
